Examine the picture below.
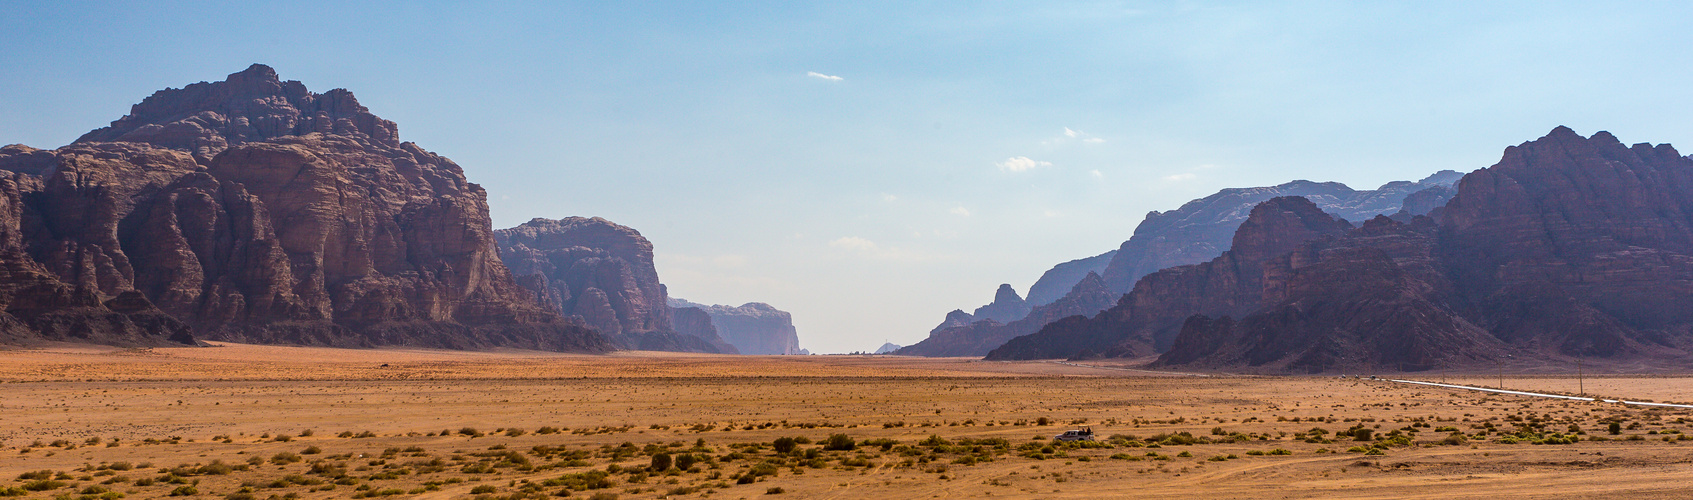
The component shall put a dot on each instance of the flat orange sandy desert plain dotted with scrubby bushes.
(306, 423)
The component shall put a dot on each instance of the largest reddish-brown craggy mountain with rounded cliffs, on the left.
(256, 211)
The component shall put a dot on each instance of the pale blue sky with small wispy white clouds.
(873, 165)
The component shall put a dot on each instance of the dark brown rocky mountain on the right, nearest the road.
(1569, 247)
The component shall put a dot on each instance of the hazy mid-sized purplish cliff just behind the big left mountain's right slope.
(602, 274)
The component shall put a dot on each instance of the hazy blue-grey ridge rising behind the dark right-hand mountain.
(1198, 231)
